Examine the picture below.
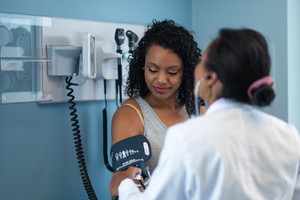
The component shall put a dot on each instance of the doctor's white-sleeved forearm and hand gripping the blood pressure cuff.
(168, 179)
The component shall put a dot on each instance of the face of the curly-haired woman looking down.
(163, 72)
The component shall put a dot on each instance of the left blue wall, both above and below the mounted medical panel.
(36, 143)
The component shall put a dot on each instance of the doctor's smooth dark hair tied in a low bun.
(239, 57)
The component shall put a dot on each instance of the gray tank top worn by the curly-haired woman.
(154, 130)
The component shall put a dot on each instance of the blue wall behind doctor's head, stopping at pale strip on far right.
(267, 16)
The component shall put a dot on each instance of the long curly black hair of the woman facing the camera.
(169, 35)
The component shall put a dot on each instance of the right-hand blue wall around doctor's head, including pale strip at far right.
(278, 21)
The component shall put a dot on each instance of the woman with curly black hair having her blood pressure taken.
(160, 85)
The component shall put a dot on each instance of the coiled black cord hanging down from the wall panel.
(77, 141)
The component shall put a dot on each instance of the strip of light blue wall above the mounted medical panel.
(127, 11)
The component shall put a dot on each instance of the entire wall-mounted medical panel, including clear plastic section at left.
(38, 53)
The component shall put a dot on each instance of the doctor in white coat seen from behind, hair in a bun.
(234, 151)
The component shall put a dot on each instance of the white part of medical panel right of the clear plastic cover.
(69, 41)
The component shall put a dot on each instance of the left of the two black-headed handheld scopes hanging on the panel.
(119, 38)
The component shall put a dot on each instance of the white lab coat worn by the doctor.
(232, 152)
